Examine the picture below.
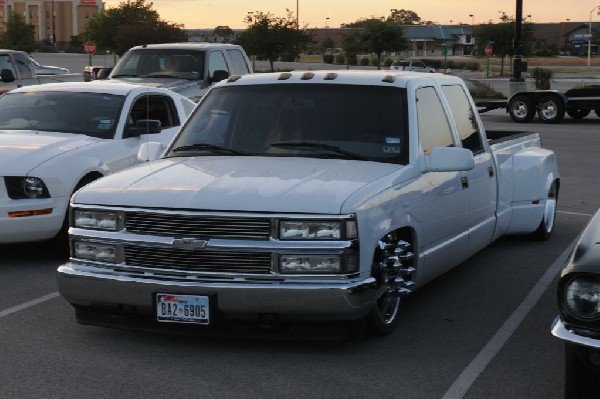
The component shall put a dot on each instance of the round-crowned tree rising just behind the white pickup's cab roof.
(272, 38)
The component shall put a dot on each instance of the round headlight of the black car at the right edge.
(582, 296)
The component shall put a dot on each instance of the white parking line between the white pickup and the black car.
(466, 379)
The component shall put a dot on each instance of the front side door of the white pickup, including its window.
(443, 209)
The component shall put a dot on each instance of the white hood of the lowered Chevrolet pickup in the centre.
(256, 184)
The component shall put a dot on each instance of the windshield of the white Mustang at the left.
(90, 114)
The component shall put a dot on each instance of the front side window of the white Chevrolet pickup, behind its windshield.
(434, 130)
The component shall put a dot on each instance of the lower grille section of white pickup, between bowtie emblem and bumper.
(200, 261)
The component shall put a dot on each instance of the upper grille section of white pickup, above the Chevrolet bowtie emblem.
(197, 226)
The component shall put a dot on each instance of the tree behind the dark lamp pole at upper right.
(502, 35)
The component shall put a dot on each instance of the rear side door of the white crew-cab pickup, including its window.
(481, 181)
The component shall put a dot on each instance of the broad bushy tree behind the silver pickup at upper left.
(131, 24)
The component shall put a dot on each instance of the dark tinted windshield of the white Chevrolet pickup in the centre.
(307, 120)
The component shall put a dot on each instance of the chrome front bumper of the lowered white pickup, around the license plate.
(294, 300)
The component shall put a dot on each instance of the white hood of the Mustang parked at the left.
(22, 151)
